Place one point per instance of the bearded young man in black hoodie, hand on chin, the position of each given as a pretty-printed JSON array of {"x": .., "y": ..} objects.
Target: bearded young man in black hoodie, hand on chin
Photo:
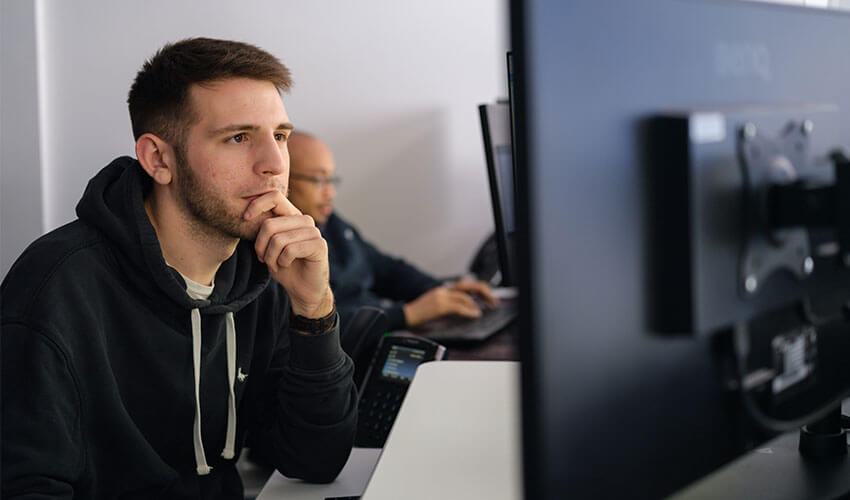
[{"x": 186, "y": 308}]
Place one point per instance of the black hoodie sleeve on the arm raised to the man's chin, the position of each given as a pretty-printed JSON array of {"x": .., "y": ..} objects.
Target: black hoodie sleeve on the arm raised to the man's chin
[{"x": 312, "y": 433}]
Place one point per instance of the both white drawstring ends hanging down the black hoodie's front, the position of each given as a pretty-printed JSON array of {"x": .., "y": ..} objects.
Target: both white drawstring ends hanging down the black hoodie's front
[{"x": 200, "y": 458}]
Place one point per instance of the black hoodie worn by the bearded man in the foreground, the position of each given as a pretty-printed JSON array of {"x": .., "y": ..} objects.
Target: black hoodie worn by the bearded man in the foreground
[{"x": 98, "y": 375}]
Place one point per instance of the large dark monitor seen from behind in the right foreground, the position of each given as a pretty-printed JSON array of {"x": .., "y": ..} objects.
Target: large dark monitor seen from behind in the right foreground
[{"x": 666, "y": 318}]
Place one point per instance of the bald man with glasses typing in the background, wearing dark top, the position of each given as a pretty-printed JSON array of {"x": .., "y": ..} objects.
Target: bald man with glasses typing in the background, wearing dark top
[{"x": 360, "y": 273}]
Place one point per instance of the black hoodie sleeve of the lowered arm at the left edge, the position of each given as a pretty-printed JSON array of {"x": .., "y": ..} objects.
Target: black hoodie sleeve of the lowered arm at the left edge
[{"x": 41, "y": 438}]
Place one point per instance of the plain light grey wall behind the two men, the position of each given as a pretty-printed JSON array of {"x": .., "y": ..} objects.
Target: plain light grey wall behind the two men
[{"x": 392, "y": 86}]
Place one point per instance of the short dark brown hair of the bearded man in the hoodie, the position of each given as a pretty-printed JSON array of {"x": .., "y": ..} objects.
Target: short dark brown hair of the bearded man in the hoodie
[{"x": 159, "y": 98}]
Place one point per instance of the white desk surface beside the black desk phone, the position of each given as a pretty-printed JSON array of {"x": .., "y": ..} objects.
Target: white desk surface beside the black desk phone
[{"x": 457, "y": 435}]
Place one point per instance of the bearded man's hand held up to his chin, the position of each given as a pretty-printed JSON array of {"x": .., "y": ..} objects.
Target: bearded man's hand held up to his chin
[{"x": 292, "y": 247}]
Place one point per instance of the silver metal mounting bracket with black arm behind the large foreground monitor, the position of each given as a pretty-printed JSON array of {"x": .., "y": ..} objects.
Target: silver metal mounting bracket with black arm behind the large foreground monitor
[{"x": 781, "y": 205}]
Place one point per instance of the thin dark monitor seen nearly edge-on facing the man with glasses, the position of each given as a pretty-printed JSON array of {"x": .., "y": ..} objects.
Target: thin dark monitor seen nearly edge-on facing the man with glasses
[{"x": 496, "y": 131}]
